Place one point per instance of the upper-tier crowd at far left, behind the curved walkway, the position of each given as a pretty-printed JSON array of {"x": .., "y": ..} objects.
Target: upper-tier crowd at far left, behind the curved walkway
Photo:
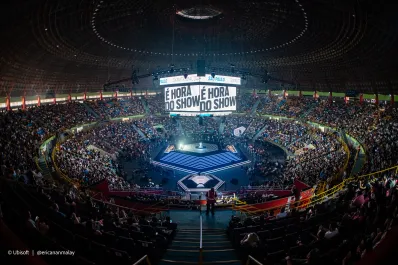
[{"x": 24, "y": 131}]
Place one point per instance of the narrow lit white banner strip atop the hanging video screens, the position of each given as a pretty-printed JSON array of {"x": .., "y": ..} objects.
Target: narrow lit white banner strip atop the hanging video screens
[{"x": 218, "y": 79}]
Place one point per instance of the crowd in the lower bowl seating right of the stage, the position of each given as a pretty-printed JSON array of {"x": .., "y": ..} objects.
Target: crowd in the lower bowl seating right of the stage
[{"x": 314, "y": 155}]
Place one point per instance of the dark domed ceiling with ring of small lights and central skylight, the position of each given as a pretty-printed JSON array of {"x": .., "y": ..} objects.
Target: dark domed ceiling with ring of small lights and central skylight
[{"x": 76, "y": 45}]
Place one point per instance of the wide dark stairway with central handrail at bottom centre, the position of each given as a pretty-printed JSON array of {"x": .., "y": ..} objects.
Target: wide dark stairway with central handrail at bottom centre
[{"x": 184, "y": 249}]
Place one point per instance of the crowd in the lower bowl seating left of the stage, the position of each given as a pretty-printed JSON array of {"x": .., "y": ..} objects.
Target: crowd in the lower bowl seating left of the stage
[{"x": 80, "y": 158}]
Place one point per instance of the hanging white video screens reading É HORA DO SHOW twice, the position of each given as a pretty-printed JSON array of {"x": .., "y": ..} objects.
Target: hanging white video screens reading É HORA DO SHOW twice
[{"x": 200, "y": 98}]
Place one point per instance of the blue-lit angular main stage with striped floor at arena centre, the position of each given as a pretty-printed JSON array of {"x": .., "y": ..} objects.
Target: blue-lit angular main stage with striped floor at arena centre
[{"x": 195, "y": 162}]
